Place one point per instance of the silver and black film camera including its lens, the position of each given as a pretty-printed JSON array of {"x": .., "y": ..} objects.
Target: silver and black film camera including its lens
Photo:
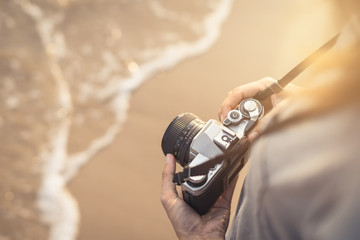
[{"x": 211, "y": 153}]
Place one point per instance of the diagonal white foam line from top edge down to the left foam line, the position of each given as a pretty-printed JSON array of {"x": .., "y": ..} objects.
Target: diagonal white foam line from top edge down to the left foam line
[{"x": 122, "y": 91}]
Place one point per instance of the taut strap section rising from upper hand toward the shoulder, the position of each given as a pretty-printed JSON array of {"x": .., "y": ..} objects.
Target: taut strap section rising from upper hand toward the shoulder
[{"x": 280, "y": 84}]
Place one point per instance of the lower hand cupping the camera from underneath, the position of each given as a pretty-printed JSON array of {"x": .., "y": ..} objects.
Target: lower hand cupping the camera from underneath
[{"x": 187, "y": 223}]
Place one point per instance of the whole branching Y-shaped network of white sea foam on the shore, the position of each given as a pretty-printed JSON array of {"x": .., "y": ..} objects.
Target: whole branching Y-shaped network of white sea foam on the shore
[{"x": 58, "y": 208}]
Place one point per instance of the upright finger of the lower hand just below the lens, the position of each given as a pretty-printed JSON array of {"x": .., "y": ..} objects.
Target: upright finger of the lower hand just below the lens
[{"x": 168, "y": 188}]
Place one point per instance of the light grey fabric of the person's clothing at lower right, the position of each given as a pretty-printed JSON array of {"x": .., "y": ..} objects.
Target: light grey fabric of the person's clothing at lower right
[{"x": 304, "y": 182}]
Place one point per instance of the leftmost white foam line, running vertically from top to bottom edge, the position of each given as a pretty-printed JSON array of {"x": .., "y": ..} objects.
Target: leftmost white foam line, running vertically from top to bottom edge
[{"x": 57, "y": 207}]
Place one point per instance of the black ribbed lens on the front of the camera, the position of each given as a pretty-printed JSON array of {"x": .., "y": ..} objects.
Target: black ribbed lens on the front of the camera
[{"x": 179, "y": 135}]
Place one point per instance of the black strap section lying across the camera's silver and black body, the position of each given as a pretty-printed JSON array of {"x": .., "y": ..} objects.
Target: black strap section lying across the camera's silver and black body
[{"x": 202, "y": 169}]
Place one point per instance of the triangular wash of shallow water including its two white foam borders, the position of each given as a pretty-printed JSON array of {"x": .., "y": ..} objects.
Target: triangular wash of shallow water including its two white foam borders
[{"x": 98, "y": 56}]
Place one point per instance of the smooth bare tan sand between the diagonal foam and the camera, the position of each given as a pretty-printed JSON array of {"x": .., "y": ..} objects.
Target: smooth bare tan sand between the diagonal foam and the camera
[{"x": 118, "y": 191}]
